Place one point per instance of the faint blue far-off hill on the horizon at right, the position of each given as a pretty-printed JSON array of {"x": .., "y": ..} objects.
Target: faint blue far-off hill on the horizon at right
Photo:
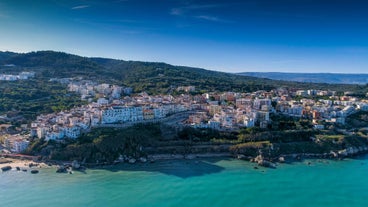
[{"x": 335, "y": 78}]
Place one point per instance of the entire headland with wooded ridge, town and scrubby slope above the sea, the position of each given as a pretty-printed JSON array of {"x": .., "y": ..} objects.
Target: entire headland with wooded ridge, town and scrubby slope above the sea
[{"x": 114, "y": 111}]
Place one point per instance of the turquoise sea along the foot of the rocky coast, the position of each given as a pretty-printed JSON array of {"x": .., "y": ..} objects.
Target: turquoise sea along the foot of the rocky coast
[{"x": 207, "y": 182}]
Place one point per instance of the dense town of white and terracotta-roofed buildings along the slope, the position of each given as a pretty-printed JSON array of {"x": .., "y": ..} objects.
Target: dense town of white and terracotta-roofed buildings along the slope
[{"x": 109, "y": 105}]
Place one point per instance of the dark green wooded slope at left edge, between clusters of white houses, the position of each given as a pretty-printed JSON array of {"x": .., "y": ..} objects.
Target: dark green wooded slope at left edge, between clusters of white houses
[{"x": 23, "y": 100}]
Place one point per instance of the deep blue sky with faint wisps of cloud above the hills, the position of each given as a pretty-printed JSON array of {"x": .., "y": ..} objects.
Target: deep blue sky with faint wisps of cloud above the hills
[{"x": 224, "y": 35}]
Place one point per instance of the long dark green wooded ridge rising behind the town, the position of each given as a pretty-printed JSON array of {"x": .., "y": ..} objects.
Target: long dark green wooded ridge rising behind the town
[{"x": 152, "y": 77}]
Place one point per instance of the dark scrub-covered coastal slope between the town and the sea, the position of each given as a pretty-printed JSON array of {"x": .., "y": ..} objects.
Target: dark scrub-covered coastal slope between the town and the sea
[{"x": 106, "y": 145}]
